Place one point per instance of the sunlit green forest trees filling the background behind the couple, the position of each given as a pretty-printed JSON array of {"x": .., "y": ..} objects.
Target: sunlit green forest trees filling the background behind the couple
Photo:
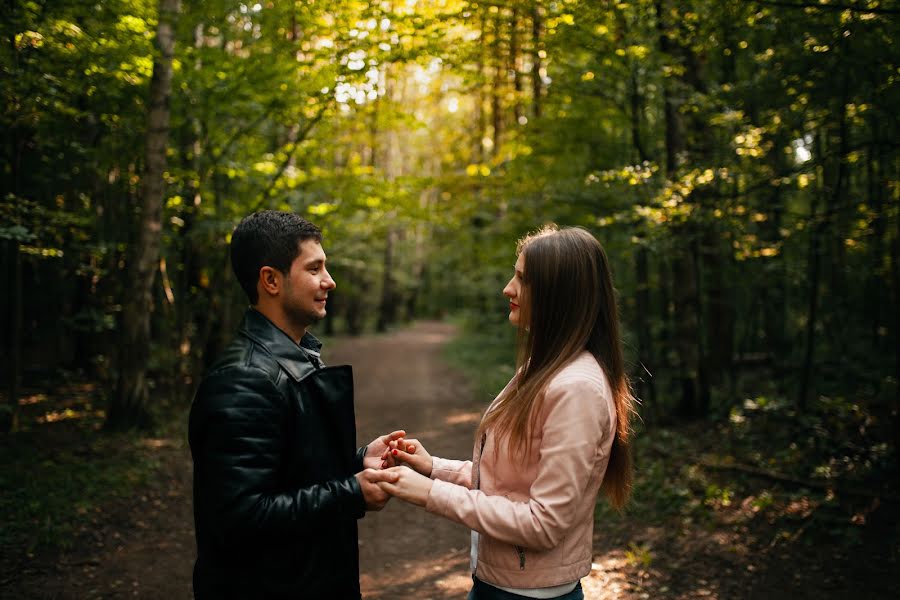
[{"x": 738, "y": 159}]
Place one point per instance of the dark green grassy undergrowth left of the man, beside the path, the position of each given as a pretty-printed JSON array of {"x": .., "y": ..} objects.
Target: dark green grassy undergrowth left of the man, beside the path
[{"x": 60, "y": 473}]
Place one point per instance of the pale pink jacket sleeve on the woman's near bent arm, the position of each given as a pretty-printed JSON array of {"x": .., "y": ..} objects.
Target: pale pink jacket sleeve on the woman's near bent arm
[{"x": 576, "y": 425}]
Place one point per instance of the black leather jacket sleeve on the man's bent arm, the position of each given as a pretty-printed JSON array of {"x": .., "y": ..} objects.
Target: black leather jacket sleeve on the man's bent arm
[{"x": 237, "y": 430}]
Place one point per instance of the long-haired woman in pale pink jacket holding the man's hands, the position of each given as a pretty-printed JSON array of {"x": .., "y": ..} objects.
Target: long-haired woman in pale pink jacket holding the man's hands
[{"x": 555, "y": 433}]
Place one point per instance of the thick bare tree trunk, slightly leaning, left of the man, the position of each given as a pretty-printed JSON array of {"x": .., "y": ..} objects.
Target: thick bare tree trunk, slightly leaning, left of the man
[{"x": 129, "y": 405}]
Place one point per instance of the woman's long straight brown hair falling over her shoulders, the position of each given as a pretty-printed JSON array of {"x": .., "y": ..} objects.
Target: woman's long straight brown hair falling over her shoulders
[{"x": 570, "y": 307}]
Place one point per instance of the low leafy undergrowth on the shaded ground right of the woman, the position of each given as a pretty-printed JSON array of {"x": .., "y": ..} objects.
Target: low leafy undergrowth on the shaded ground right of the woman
[{"x": 765, "y": 474}]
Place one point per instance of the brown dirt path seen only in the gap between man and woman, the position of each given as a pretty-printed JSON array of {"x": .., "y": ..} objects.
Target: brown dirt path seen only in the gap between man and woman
[{"x": 401, "y": 382}]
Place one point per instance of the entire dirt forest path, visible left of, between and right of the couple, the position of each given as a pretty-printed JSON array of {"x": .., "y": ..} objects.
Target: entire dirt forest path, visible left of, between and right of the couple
[{"x": 144, "y": 546}]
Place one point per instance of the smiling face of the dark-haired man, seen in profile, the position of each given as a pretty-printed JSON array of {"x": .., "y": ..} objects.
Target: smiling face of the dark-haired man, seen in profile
[{"x": 306, "y": 286}]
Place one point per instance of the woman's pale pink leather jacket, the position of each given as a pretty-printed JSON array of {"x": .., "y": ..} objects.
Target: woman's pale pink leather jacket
[{"x": 535, "y": 513}]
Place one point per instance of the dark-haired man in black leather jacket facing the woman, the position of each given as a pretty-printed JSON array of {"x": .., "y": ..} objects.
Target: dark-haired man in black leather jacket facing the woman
[{"x": 278, "y": 484}]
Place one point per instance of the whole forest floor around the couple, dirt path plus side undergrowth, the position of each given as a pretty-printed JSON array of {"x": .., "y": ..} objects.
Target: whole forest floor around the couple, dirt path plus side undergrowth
[{"x": 734, "y": 541}]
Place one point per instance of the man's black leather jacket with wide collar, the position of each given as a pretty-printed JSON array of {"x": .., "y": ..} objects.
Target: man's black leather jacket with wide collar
[{"x": 273, "y": 438}]
